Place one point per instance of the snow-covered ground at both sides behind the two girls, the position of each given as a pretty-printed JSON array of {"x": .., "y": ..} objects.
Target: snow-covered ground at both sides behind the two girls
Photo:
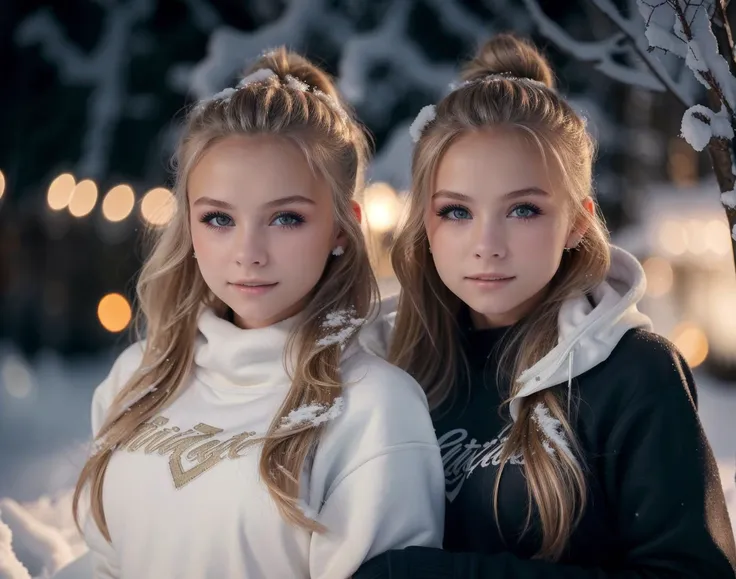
[{"x": 44, "y": 426}]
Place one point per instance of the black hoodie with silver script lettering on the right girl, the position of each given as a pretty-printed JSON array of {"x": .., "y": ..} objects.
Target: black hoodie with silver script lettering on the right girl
[{"x": 655, "y": 508}]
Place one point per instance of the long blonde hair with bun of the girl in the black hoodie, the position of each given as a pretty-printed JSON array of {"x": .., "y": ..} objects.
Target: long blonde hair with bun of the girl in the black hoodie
[{"x": 519, "y": 97}]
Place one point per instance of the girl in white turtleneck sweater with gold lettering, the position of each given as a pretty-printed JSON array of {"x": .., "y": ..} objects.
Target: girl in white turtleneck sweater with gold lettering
[{"x": 248, "y": 436}]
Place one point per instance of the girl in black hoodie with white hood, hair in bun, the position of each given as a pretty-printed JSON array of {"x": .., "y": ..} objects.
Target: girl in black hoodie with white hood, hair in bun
[{"x": 569, "y": 432}]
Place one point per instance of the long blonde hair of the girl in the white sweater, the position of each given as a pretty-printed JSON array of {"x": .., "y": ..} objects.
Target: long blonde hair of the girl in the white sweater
[{"x": 300, "y": 103}]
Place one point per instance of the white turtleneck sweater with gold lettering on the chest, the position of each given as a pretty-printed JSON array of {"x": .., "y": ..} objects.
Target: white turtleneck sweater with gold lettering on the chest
[{"x": 193, "y": 506}]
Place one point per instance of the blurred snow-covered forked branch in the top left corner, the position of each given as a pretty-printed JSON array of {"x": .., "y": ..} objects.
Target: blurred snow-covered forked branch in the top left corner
[{"x": 105, "y": 69}]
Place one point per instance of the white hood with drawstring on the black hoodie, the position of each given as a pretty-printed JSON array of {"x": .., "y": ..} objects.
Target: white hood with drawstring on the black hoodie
[{"x": 588, "y": 332}]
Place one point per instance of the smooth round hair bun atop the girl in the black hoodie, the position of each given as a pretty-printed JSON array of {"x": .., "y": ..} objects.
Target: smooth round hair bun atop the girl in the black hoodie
[{"x": 506, "y": 53}]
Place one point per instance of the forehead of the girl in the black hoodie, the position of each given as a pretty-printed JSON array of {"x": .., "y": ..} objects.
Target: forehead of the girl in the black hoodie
[{"x": 493, "y": 162}]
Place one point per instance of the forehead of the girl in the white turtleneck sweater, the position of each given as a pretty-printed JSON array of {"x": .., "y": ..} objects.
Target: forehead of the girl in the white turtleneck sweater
[{"x": 263, "y": 166}]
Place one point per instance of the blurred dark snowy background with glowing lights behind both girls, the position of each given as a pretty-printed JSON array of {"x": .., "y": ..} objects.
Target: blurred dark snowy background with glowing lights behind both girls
[{"x": 93, "y": 93}]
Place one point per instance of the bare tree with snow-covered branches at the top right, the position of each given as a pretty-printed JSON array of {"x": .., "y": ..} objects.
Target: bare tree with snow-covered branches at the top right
[{"x": 670, "y": 42}]
